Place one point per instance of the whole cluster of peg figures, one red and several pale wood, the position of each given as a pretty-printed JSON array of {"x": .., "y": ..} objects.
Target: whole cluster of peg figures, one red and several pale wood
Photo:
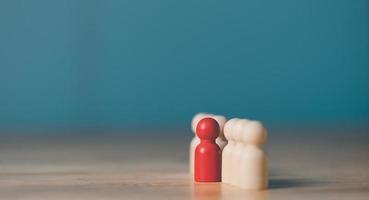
[{"x": 228, "y": 151}]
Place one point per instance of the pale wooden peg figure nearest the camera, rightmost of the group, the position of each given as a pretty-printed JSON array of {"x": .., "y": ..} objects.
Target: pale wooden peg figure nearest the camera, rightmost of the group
[{"x": 253, "y": 166}]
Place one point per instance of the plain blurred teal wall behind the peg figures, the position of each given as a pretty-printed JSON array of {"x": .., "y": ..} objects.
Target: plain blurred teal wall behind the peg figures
[{"x": 122, "y": 63}]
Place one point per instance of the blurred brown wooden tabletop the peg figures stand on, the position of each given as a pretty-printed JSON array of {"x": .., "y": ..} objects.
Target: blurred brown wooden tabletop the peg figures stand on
[{"x": 305, "y": 163}]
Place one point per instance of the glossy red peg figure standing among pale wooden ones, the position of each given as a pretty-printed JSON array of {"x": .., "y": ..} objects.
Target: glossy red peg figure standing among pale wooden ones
[{"x": 207, "y": 154}]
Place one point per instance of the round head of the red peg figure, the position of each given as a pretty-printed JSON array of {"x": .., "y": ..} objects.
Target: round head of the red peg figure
[{"x": 207, "y": 129}]
